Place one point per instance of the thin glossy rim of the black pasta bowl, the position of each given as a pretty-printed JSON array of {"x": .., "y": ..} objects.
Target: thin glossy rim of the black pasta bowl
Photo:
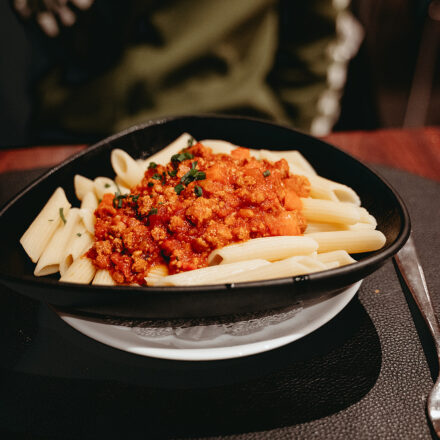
[{"x": 359, "y": 266}]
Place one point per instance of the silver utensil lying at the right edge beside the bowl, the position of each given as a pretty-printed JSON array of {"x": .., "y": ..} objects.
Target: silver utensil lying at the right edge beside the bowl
[{"x": 412, "y": 272}]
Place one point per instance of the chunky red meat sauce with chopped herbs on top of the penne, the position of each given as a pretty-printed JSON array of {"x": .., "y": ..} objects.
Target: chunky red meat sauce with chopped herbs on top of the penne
[{"x": 198, "y": 202}]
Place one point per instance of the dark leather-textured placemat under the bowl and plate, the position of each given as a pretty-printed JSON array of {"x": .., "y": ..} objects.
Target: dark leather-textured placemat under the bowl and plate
[{"x": 365, "y": 374}]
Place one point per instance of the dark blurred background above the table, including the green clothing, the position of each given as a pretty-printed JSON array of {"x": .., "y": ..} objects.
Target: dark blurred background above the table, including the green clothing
[{"x": 74, "y": 71}]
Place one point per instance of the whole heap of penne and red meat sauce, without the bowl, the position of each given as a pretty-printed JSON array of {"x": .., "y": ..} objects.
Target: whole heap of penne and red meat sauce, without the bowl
[{"x": 320, "y": 224}]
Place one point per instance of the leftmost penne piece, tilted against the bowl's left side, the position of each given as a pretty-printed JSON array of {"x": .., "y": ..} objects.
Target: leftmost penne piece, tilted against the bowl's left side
[{"x": 40, "y": 232}]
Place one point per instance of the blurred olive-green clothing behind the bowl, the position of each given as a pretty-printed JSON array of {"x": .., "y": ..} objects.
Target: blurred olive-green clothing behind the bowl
[{"x": 264, "y": 58}]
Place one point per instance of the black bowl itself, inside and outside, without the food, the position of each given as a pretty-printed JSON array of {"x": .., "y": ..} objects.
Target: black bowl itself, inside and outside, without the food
[{"x": 16, "y": 270}]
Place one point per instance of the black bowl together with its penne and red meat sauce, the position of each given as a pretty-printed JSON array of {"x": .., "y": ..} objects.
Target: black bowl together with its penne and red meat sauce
[{"x": 211, "y": 227}]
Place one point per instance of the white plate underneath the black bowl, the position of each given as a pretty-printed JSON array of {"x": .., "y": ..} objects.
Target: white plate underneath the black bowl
[{"x": 208, "y": 340}]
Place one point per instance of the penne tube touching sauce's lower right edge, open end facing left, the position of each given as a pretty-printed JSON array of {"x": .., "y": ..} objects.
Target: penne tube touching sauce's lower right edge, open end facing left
[{"x": 267, "y": 248}]
